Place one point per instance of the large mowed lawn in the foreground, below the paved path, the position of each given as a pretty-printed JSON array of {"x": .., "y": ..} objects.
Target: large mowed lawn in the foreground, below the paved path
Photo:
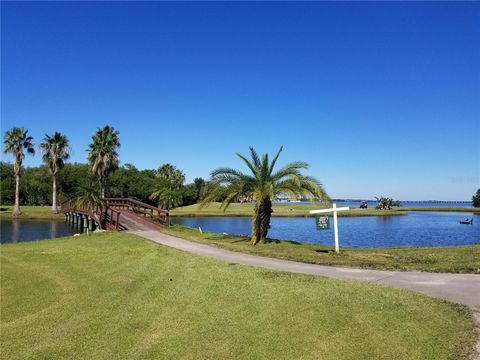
[{"x": 117, "y": 296}]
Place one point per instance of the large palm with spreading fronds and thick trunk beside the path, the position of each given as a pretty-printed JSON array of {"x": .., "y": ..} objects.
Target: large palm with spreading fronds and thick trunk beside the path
[{"x": 263, "y": 184}]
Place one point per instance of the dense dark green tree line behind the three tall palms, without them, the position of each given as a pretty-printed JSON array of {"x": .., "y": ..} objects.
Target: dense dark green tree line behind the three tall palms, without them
[{"x": 126, "y": 181}]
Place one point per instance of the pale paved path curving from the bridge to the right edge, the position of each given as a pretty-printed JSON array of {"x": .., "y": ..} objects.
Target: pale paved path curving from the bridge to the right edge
[{"x": 459, "y": 288}]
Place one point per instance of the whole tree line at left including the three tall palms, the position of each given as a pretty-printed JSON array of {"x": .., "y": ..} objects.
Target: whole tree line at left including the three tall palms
[{"x": 57, "y": 181}]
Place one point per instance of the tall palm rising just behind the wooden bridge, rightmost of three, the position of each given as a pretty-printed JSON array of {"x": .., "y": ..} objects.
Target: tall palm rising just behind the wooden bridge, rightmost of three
[{"x": 102, "y": 154}]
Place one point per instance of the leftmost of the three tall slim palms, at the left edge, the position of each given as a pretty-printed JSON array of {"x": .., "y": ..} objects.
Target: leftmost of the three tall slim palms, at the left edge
[{"x": 16, "y": 140}]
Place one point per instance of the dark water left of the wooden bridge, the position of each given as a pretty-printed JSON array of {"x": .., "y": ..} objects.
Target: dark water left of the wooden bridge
[{"x": 13, "y": 231}]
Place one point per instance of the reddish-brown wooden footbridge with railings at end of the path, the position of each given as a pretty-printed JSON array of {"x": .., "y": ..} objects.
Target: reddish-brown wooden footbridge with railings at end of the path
[{"x": 118, "y": 214}]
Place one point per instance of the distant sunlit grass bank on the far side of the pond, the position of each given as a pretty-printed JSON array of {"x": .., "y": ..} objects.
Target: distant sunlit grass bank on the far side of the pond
[{"x": 288, "y": 210}]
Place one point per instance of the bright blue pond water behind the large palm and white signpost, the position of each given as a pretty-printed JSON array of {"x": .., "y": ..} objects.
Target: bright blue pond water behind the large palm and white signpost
[{"x": 414, "y": 229}]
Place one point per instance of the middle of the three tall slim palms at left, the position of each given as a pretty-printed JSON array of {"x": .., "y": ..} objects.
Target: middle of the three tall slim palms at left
[{"x": 55, "y": 150}]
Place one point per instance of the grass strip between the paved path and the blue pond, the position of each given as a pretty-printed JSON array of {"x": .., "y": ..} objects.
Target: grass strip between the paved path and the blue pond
[{"x": 456, "y": 259}]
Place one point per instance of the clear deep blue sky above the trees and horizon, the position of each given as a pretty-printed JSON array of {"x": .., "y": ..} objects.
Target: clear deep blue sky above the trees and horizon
[{"x": 380, "y": 98}]
